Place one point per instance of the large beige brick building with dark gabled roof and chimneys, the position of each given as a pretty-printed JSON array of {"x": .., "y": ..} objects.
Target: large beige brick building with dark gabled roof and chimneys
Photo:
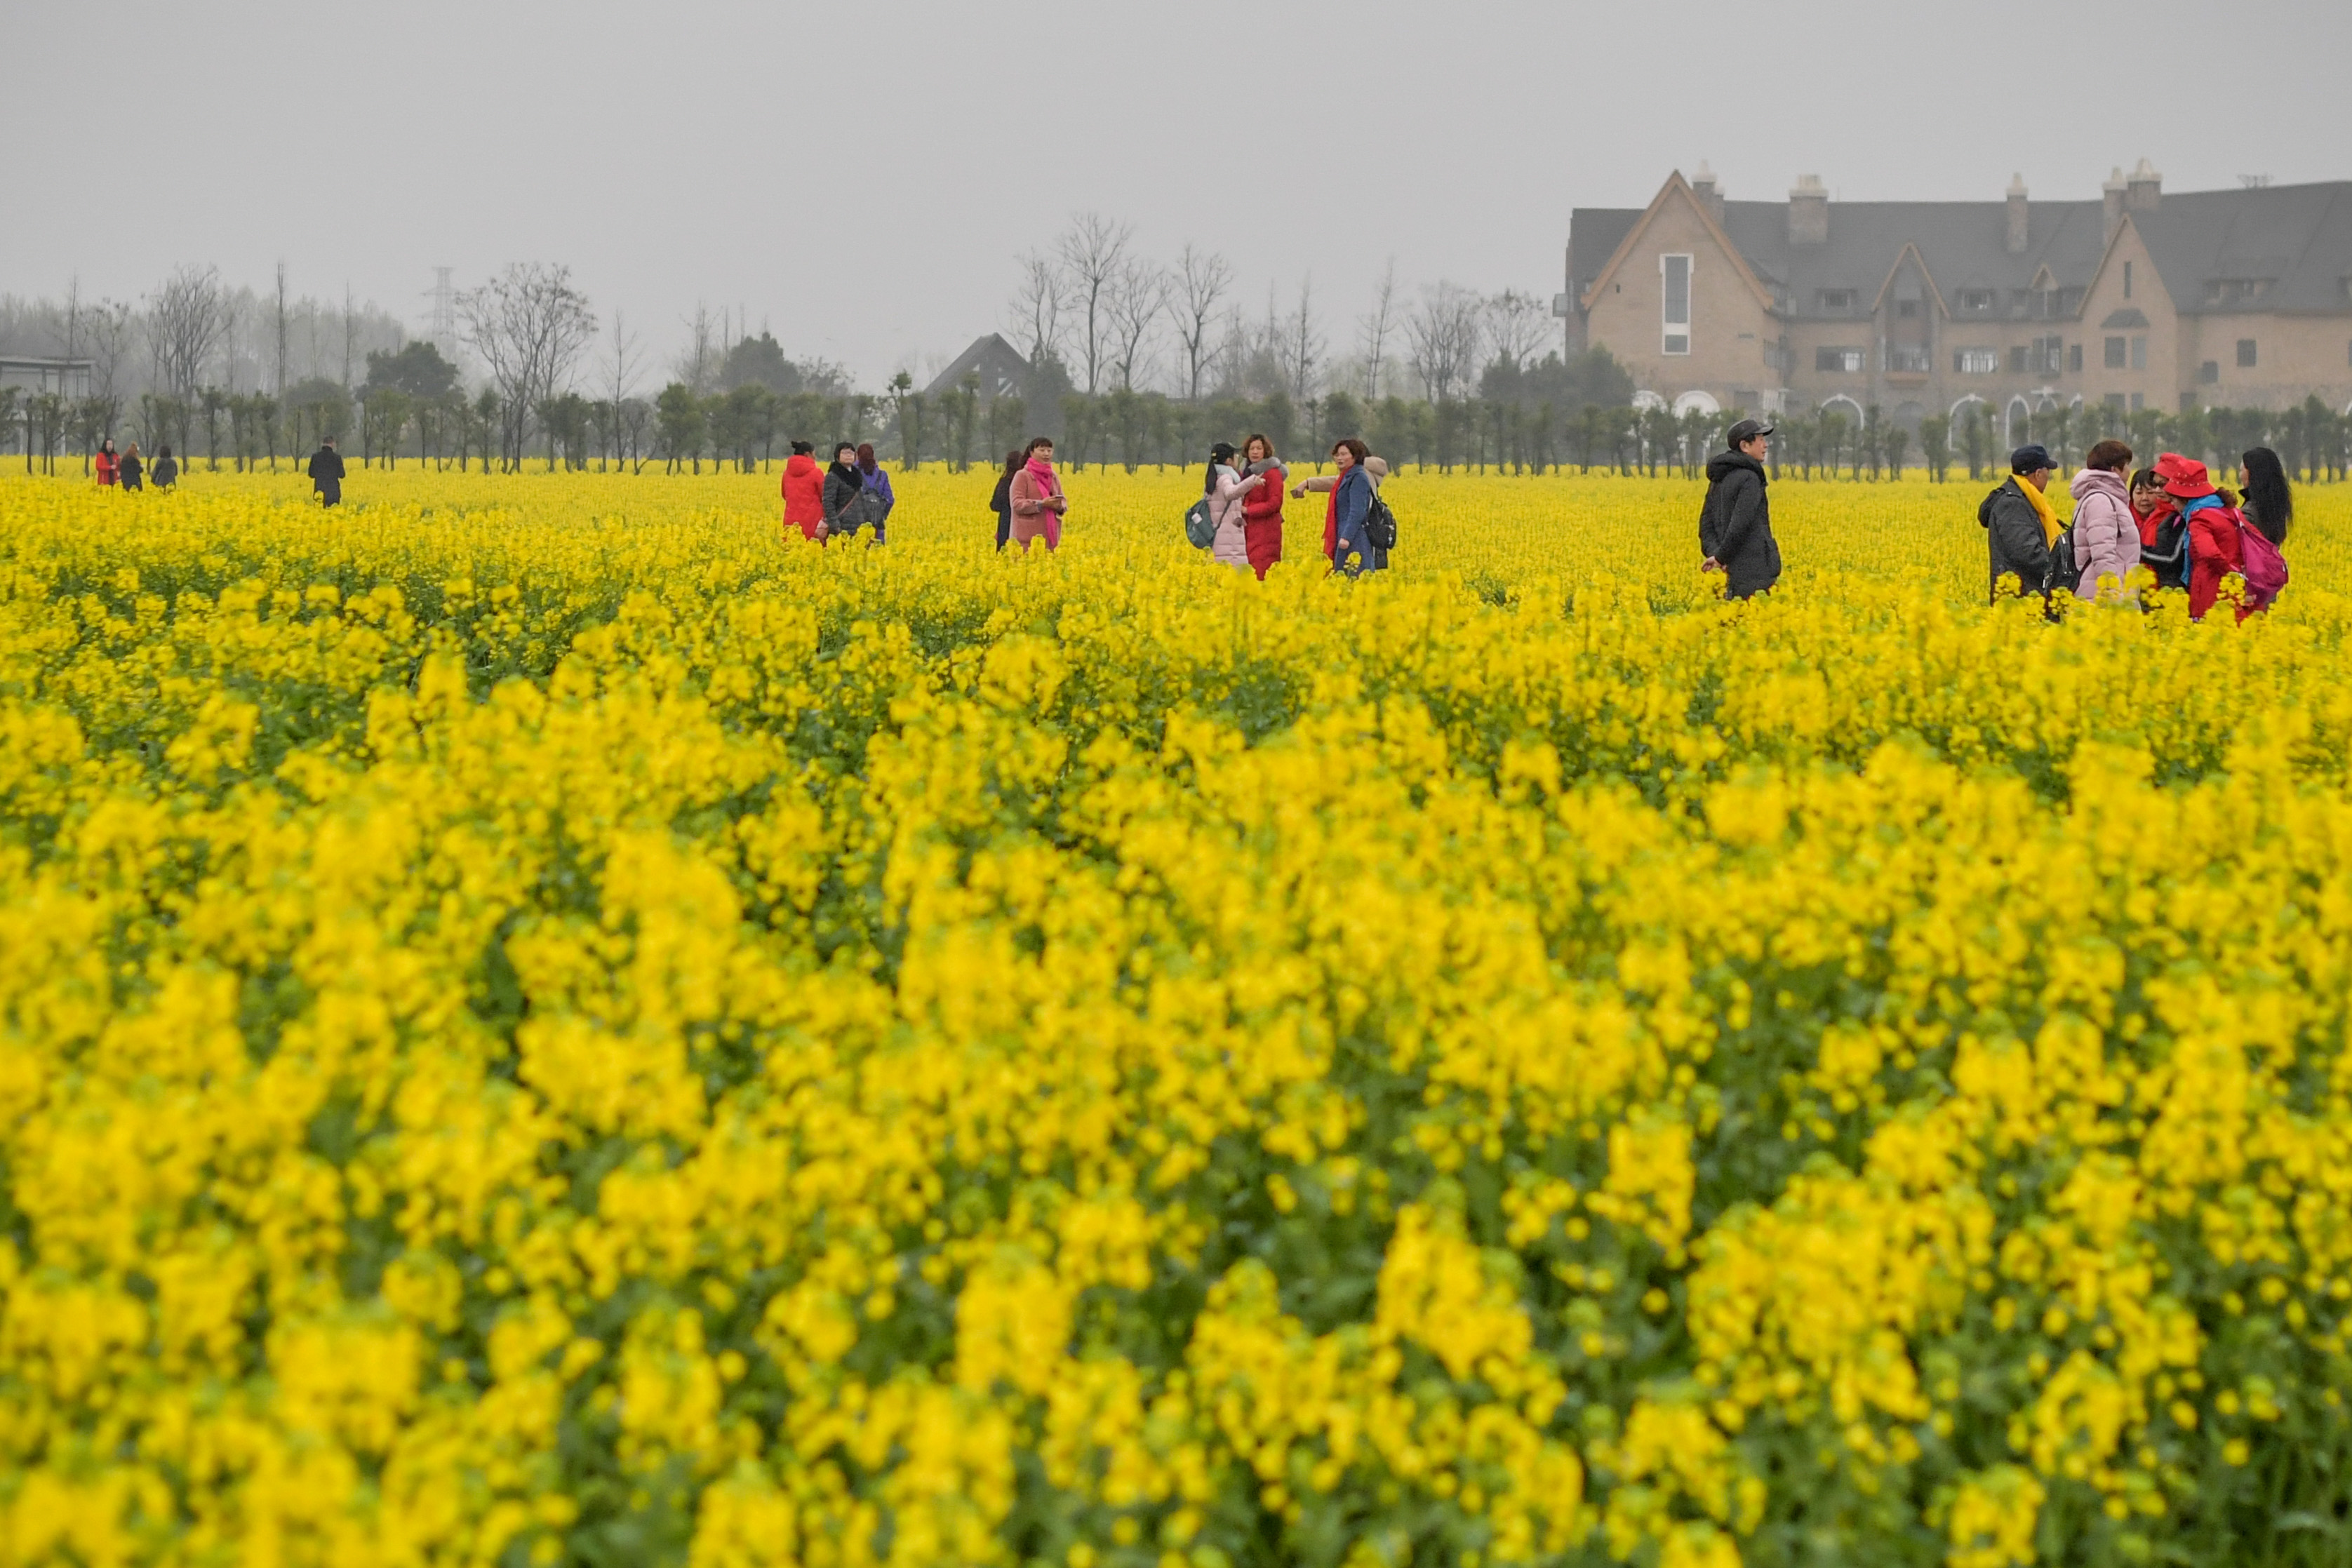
[{"x": 2137, "y": 300}]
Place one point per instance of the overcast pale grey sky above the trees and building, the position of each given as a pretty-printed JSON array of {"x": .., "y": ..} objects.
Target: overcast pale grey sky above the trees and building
[{"x": 864, "y": 175}]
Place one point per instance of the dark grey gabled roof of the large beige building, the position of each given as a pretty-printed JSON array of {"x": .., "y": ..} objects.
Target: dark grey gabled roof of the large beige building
[{"x": 2299, "y": 239}]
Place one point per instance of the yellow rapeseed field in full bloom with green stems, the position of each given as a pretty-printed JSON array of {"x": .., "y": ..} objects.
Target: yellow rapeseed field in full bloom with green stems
[{"x": 552, "y": 1026}]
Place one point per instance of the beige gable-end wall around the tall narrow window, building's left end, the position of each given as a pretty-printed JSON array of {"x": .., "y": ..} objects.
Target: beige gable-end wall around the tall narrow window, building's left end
[{"x": 1730, "y": 330}]
